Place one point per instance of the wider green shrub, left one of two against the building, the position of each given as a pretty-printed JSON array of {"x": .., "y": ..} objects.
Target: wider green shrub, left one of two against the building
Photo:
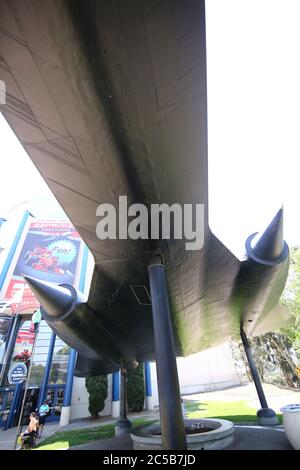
[{"x": 97, "y": 389}]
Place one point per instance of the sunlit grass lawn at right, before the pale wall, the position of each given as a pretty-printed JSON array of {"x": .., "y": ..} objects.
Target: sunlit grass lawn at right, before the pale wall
[{"x": 236, "y": 411}]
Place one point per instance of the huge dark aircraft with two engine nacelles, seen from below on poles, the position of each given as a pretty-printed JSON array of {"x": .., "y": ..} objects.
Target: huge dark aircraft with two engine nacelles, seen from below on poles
[{"x": 109, "y": 98}]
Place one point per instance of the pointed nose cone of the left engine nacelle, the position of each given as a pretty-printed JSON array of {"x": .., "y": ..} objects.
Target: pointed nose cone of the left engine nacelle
[{"x": 55, "y": 300}]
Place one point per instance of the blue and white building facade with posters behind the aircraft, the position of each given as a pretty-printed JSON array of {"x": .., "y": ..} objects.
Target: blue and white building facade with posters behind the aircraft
[{"x": 53, "y": 251}]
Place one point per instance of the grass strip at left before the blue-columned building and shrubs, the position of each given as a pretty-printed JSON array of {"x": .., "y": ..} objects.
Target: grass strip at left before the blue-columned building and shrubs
[{"x": 66, "y": 439}]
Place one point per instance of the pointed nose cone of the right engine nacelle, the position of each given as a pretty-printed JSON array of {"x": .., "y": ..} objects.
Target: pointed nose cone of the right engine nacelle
[{"x": 269, "y": 245}]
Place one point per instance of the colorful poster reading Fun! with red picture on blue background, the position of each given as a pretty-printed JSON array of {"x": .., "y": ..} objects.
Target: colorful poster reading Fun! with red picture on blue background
[{"x": 50, "y": 252}]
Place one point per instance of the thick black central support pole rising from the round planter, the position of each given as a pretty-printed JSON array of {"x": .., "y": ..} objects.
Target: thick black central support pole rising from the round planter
[{"x": 171, "y": 419}]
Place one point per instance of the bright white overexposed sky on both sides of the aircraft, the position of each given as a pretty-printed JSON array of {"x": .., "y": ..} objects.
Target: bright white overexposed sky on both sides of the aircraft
[{"x": 253, "y": 71}]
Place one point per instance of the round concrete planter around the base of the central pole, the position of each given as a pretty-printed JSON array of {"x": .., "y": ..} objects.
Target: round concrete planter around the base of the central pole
[{"x": 220, "y": 435}]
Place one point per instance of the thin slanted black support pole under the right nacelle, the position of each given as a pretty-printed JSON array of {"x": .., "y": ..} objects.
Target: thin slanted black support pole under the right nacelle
[{"x": 266, "y": 415}]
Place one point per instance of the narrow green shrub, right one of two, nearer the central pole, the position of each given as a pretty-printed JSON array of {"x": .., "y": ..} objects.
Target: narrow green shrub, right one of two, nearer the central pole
[{"x": 135, "y": 388}]
